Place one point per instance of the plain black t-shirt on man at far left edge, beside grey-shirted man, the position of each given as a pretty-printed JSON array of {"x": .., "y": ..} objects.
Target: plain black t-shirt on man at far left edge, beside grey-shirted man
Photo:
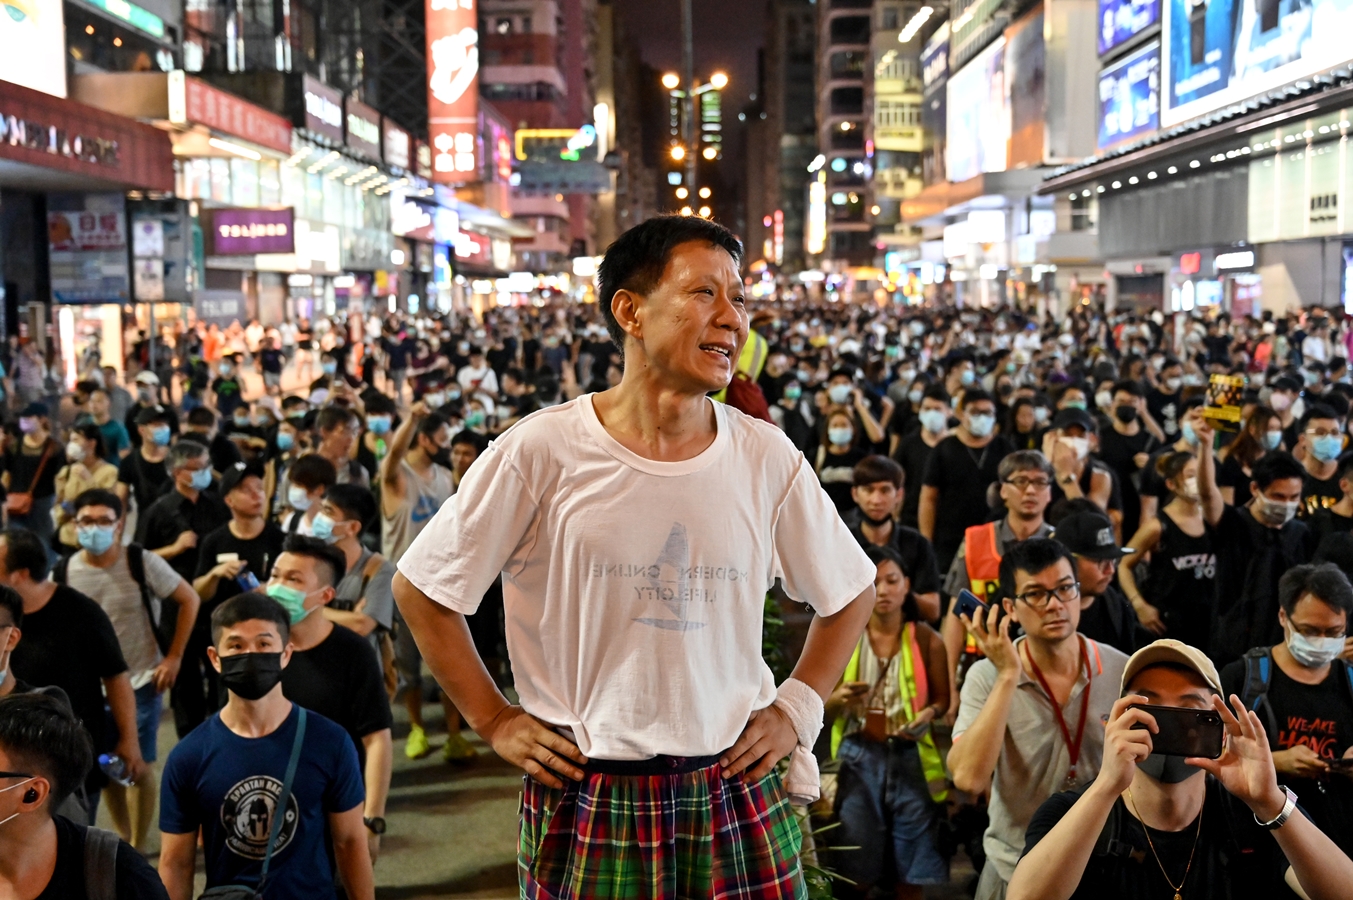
[{"x": 71, "y": 645}]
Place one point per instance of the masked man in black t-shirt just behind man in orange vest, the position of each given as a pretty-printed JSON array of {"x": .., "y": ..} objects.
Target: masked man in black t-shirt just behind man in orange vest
[{"x": 957, "y": 477}]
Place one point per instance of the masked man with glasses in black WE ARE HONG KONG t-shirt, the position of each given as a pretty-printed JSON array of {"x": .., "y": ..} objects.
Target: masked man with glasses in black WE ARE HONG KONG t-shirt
[{"x": 1306, "y": 704}]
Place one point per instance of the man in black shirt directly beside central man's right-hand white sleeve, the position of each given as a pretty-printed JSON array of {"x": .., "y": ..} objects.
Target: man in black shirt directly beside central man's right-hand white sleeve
[{"x": 877, "y": 493}]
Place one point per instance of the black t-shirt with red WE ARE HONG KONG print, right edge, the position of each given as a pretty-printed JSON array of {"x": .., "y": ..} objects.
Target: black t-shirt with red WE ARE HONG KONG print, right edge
[{"x": 1320, "y": 717}]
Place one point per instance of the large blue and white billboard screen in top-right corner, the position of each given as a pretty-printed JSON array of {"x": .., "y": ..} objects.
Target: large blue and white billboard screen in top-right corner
[{"x": 1222, "y": 52}]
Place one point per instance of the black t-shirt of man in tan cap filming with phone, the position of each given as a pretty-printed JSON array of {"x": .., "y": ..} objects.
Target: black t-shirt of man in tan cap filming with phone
[{"x": 1235, "y": 859}]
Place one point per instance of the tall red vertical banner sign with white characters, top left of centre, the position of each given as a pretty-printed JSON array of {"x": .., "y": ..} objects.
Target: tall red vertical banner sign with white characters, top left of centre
[{"x": 454, "y": 90}]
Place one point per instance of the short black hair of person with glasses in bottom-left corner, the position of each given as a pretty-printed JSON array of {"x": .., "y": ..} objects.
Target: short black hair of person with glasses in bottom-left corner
[{"x": 43, "y": 737}]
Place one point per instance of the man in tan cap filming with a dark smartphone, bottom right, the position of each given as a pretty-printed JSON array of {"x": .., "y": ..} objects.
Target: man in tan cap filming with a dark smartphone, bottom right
[{"x": 1190, "y": 829}]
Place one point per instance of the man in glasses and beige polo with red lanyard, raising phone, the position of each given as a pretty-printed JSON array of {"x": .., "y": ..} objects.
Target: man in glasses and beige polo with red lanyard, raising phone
[{"x": 1029, "y": 722}]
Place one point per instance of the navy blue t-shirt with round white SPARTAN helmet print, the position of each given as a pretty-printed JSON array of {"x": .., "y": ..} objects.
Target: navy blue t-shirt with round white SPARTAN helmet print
[{"x": 229, "y": 786}]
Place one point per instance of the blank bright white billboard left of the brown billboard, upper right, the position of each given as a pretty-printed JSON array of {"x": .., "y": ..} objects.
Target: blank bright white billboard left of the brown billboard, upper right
[{"x": 979, "y": 129}]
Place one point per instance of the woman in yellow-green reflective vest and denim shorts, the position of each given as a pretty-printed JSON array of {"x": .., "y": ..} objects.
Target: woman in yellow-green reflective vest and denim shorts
[{"x": 892, "y": 779}]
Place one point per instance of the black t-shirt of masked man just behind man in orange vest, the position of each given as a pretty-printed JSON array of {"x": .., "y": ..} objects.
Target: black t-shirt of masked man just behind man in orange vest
[{"x": 963, "y": 476}]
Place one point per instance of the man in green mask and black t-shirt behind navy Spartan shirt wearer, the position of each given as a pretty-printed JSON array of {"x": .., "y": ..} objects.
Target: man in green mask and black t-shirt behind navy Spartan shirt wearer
[{"x": 334, "y": 671}]
